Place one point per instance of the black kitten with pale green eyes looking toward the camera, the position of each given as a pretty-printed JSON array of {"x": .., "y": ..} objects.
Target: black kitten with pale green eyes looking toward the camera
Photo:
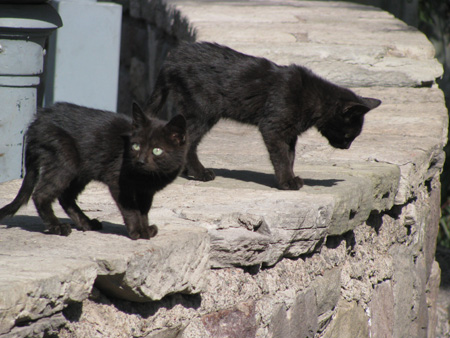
[{"x": 67, "y": 146}]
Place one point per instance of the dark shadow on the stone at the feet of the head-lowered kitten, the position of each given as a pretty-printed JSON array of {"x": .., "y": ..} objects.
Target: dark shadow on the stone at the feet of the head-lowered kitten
[{"x": 268, "y": 179}]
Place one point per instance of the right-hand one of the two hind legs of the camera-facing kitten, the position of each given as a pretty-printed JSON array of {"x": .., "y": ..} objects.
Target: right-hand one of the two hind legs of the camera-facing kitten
[{"x": 68, "y": 203}]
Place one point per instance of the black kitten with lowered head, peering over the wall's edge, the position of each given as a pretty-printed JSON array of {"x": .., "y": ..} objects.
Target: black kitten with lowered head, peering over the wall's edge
[{"x": 207, "y": 82}]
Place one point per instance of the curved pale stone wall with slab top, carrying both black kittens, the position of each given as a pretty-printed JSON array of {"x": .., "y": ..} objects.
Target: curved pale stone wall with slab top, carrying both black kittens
[{"x": 349, "y": 255}]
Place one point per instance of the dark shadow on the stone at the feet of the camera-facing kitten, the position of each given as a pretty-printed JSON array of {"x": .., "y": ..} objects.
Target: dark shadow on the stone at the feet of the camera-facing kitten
[{"x": 35, "y": 224}]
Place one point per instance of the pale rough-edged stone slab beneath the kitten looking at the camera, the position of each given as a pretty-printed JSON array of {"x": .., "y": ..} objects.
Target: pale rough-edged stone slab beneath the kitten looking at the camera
[{"x": 40, "y": 274}]
